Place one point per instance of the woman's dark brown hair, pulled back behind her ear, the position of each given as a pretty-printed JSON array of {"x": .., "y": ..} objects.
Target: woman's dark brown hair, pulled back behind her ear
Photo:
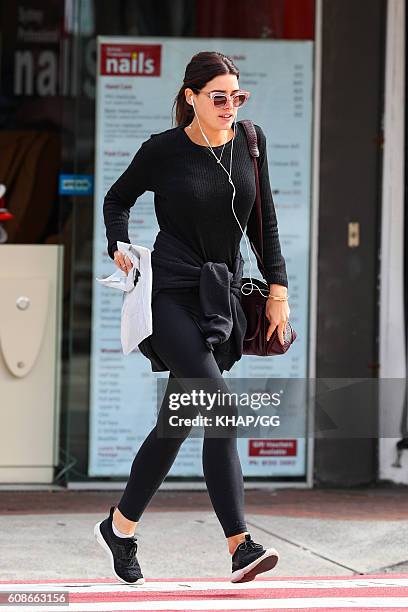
[{"x": 202, "y": 67}]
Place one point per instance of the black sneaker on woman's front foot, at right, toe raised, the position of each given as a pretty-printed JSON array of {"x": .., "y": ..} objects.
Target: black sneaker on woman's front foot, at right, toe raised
[{"x": 250, "y": 559}]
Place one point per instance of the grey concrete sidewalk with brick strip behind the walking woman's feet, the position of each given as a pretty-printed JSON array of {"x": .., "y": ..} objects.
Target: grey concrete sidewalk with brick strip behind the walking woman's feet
[{"x": 48, "y": 535}]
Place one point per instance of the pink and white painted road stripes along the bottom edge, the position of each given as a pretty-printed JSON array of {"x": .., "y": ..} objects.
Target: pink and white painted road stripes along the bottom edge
[{"x": 374, "y": 592}]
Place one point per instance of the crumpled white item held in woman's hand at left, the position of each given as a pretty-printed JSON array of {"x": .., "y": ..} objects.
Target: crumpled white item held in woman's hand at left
[{"x": 136, "y": 318}]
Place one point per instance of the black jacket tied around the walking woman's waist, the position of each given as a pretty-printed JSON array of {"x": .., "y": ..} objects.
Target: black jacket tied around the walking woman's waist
[{"x": 222, "y": 319}]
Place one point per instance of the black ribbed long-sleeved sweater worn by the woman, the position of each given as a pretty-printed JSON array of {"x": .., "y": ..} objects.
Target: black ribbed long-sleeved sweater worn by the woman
[{"x": 192, "y": 197}]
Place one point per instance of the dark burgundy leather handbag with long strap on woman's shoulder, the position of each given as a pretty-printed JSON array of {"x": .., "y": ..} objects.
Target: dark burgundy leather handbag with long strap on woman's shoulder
[{"x": 254, "y": 305}]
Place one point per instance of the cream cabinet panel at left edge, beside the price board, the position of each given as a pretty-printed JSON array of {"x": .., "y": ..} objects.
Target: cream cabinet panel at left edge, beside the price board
[{"x": 30, "y": 346}]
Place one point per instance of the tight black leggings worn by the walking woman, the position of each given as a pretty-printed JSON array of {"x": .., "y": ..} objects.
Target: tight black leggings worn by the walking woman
[{"x": 179, "y": 342}]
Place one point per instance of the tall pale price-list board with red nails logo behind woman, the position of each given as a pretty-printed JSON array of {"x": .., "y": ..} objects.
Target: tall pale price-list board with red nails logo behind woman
[{"x": 137, "y": 81}]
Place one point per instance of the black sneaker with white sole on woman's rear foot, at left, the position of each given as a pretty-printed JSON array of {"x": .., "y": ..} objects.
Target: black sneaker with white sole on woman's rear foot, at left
[{"x": 122, "y": 552}]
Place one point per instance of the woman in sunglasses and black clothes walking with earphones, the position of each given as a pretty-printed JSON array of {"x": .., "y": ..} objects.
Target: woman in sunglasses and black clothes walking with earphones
[{"x": 200, "y": 194}]
